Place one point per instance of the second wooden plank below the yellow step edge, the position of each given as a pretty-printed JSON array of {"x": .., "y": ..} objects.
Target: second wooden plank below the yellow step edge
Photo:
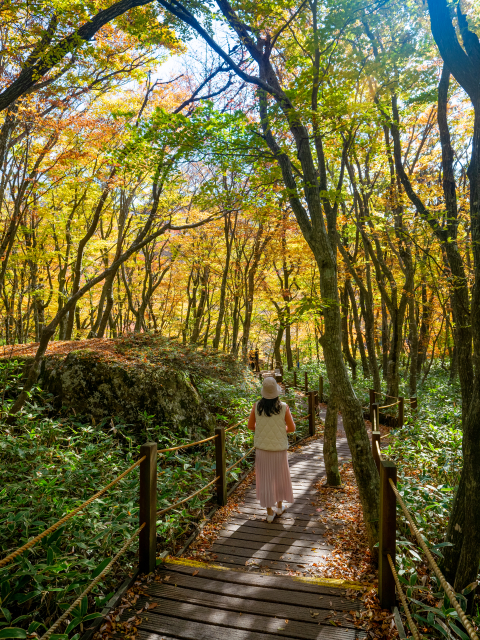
[{"x": 261, "y": 593}]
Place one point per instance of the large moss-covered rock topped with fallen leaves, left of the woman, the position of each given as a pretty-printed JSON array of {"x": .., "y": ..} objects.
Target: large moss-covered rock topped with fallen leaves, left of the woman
[{"x": 132, "y": 378}]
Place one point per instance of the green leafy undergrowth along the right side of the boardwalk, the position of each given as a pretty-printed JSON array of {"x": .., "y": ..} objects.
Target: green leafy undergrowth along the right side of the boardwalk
[{"x": 428, "y": 455}]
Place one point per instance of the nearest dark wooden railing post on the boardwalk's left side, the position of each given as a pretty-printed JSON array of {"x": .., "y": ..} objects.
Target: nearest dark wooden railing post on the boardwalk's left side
[{"x": 147, "y": 539}]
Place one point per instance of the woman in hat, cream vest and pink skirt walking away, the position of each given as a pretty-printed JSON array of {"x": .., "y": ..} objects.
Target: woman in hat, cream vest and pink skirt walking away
[{"x": 271, "y": 420}]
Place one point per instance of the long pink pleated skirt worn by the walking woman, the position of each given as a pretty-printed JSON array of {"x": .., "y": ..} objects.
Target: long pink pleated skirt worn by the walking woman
[{"x": 272, "y": 477}]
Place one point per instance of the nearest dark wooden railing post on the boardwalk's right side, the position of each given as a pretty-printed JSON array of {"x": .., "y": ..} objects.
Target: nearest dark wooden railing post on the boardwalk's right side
[{"x": 387, "y": 543}]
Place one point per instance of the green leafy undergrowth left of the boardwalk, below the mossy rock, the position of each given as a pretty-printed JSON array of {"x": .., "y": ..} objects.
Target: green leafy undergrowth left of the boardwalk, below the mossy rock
[{"x": 50, "y": 463}]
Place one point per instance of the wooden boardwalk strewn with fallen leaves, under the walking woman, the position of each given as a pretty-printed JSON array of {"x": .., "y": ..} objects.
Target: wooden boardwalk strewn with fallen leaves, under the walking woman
[{"x": 249, "y": 593}]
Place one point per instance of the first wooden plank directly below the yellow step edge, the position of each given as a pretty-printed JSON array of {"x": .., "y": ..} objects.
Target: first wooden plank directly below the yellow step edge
[{"x": 237, "y": 577}]
